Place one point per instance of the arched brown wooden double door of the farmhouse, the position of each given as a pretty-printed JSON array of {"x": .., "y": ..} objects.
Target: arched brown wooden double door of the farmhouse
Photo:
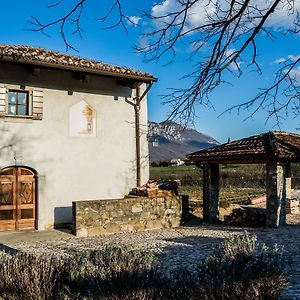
[{"x": 17, "y": 198}]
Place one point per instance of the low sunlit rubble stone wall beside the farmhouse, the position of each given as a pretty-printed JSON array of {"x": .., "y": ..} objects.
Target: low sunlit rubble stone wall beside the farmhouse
[{"x": 97, "y": 217}]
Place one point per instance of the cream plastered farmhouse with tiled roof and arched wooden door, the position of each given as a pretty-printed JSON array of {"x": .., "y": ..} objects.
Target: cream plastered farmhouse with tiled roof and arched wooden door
[{"x": 71, "y": 129}]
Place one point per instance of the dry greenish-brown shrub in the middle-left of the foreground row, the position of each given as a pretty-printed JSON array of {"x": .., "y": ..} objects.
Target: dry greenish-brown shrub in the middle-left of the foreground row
[{"x": 114, "y": 270}]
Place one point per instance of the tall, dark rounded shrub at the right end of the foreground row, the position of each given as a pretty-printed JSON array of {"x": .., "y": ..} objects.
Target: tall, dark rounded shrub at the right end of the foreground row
[{"x": 240, "y": 266}]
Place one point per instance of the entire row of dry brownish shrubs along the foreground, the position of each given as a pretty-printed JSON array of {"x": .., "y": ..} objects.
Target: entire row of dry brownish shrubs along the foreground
[{"x": 239, "y": 267}]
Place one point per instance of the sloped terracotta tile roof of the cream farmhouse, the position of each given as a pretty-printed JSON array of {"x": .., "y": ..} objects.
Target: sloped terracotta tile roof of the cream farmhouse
[{"x": 49, "y": 58}]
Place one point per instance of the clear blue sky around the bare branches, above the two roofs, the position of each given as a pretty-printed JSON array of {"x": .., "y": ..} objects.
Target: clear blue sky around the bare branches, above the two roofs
[{"x": 114, "y": 46}]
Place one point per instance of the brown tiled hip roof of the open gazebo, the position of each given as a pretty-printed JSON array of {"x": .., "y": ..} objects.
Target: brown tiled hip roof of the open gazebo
[{"x": 270, "y": 146}]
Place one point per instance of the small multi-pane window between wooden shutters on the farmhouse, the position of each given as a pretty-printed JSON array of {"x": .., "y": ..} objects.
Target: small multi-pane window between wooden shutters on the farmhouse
[{"x": 18, "y": 104}]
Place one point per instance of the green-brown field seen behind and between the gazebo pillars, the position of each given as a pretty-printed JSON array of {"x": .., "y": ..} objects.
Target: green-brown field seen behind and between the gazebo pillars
[{"x": 239, "y": 183}]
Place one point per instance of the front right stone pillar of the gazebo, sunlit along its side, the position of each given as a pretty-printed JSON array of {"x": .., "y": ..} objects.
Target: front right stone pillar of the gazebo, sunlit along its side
[{"x": 278, "y": 186}]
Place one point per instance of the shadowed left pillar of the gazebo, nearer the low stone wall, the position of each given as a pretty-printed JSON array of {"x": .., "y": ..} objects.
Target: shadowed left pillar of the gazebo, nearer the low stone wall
[{"x": 211, "y": 193}]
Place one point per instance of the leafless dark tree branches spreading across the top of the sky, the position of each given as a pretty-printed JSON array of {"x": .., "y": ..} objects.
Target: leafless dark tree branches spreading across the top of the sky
[{"x": 224, "y": 38}]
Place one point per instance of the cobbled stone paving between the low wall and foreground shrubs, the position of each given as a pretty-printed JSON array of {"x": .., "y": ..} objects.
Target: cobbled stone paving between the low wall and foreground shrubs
[{"x": 179, "y": 246}]
